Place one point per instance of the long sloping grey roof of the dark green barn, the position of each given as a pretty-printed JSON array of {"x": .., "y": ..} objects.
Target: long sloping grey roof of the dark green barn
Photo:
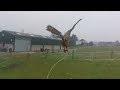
[{"x": 29, "y": 35}]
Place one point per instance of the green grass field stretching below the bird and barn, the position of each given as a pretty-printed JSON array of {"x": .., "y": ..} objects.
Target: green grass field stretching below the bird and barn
[{"x": 85, "y": 63}]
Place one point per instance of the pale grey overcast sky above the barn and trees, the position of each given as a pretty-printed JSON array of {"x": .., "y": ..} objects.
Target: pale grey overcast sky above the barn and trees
[{"x": 95, "y": 26}]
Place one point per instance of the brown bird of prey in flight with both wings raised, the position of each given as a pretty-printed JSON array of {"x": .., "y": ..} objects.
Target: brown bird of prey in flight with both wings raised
[{"x": 65, "y": 38}]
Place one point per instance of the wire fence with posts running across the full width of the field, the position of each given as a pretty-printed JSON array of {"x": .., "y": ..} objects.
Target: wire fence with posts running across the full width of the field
[{"x": 73, "y": 54}]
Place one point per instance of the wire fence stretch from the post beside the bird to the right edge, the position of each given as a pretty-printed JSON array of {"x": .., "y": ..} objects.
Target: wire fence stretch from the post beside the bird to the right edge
[{"x": 97, "y": 55}]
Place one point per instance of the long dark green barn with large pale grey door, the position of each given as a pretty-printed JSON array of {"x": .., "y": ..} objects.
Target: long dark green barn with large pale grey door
[{"x": 27, "y": 42}]
